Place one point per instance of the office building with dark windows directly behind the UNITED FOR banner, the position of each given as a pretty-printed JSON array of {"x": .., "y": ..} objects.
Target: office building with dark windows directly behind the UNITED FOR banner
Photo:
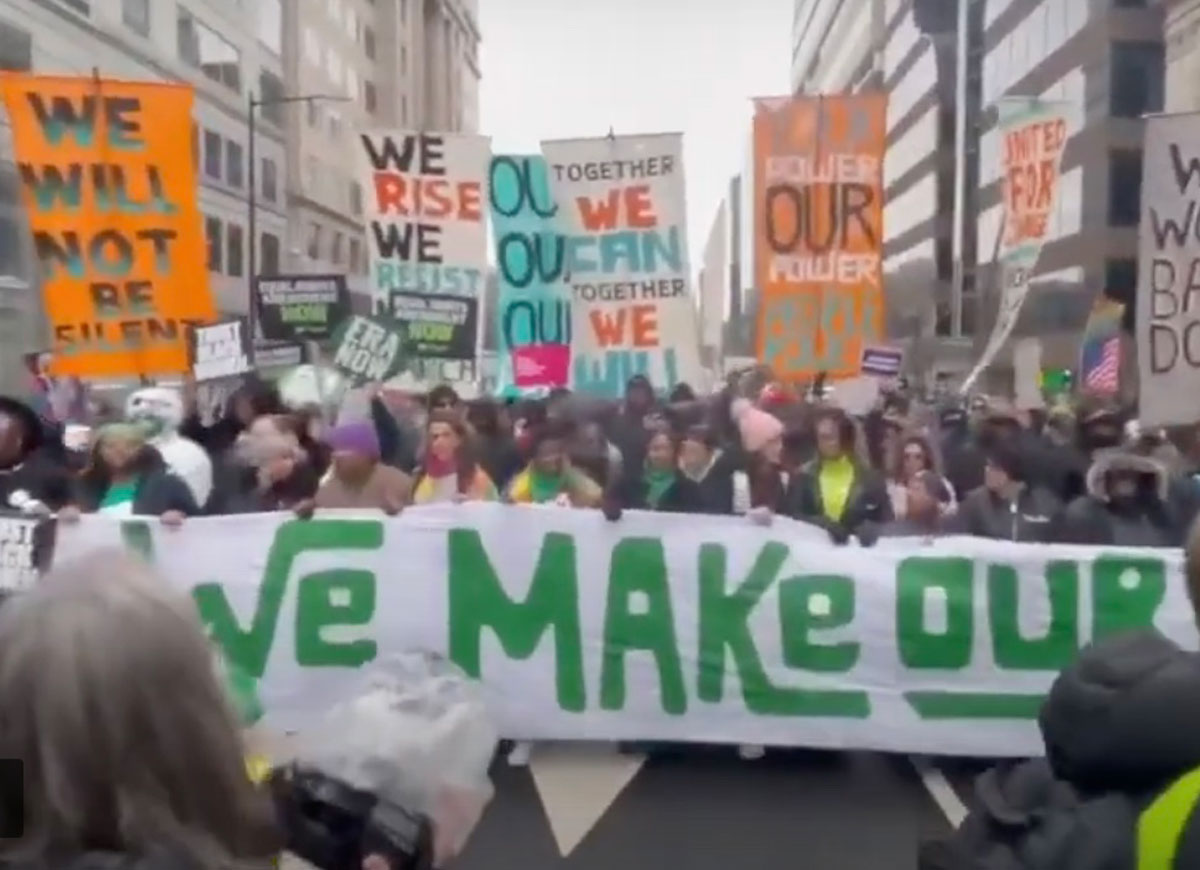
[{"x": 1106, "y": 63}]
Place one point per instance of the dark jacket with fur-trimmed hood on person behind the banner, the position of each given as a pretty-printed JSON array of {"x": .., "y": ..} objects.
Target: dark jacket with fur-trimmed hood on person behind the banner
[{"x": 1149, "y": 521}]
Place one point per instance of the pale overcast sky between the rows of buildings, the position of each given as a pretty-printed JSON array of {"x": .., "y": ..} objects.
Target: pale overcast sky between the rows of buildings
[{"x": 566, "y": 69}]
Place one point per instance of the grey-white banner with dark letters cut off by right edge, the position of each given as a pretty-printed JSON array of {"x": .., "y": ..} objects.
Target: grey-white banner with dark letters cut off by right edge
[{"x": 1169, "y": 273}]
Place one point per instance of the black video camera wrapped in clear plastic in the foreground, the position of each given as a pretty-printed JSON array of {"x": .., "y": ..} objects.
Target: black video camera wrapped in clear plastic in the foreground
[{"x": 399, "y": 771}]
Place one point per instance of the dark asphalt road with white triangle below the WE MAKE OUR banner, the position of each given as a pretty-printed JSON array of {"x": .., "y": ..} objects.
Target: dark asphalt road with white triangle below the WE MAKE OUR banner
[{"x": 710, "y": 809}]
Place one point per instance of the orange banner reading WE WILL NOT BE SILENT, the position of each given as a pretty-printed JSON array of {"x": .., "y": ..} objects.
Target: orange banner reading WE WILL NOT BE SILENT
[{"x": 109, "y": 183}]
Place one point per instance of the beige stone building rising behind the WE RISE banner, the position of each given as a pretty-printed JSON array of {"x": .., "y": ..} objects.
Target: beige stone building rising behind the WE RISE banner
[{"x": 383, "y": 64}]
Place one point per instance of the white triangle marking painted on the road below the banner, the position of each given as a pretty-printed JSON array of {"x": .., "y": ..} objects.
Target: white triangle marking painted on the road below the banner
[{"x": 578, "y": 784}]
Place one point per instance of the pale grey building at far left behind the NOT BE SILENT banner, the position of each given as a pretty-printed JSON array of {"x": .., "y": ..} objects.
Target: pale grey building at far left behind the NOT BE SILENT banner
[{"x": 226, "y": 50}]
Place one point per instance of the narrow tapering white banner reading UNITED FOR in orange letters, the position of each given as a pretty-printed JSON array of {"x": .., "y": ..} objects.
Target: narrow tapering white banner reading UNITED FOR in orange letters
[{"x": 1034, "y": 135}]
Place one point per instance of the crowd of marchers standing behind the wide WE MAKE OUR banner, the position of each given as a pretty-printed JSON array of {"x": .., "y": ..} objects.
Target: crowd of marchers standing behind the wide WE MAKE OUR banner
[{"x": 1076, "y": 475}]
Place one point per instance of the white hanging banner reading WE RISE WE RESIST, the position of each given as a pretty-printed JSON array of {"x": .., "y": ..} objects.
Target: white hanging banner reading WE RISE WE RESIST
[{"x": 425, "y": 205}]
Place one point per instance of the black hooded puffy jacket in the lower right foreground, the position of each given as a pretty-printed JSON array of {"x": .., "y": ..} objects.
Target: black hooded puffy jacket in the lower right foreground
[{"x": 1121, "y": 725}]
